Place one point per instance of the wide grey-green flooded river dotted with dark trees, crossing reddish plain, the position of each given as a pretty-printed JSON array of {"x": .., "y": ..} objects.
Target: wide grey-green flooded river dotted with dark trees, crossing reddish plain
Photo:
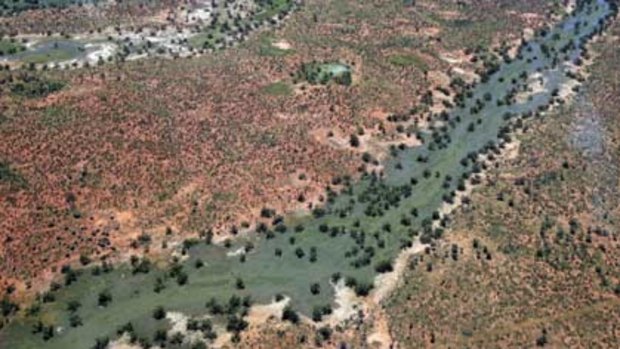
[{"x": 361, "y": 229}]
